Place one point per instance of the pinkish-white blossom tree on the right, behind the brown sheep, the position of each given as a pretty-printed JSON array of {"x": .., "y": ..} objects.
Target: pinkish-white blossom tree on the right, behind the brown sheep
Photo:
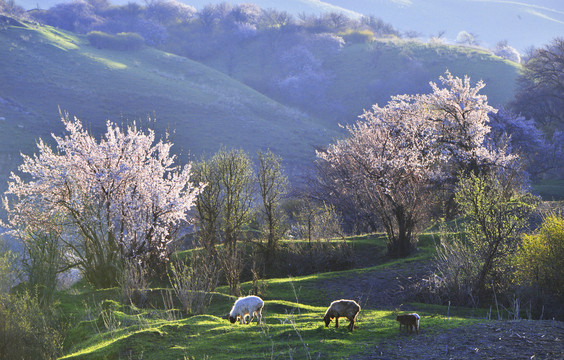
[{"x": 395, "y": 155}]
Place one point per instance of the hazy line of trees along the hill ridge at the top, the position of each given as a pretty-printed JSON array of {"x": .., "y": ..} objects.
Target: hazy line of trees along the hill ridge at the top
[{"x": 157, "y": 21}]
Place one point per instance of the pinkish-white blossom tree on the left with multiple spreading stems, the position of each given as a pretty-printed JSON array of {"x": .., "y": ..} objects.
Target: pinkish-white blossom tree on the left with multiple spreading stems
[{"x": 122, "y": 197}]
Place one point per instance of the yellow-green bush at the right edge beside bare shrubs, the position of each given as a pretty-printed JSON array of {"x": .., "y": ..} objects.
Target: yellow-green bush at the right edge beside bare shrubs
[{"x": 540, "y": 258}]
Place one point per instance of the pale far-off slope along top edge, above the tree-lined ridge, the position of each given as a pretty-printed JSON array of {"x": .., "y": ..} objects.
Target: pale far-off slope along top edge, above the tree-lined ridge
[{"x": 522, "y": 23}]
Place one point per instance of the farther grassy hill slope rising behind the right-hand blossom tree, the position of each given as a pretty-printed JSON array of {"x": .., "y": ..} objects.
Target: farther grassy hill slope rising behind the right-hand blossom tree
[{"x": 360, "y": 75}]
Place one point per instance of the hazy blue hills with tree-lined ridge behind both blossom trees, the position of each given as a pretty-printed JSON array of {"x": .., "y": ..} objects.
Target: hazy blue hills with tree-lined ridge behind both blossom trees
[{"x": 240, "y": 82}]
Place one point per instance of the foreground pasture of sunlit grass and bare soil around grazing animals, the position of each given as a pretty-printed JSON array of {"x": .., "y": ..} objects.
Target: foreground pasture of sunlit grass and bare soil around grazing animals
[{"x": 292, "y": 328}]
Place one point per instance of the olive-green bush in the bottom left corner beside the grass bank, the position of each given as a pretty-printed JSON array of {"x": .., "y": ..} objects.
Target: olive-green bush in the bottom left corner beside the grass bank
[{"x": 26, "y": 330}]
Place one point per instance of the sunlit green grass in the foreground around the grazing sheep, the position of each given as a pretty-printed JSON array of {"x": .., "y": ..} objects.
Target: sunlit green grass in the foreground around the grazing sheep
[{"x": 292, "y": 325}]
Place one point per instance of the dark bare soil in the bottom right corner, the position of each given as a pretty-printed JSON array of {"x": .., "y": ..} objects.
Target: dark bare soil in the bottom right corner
[{"x": 519, "y": 339}]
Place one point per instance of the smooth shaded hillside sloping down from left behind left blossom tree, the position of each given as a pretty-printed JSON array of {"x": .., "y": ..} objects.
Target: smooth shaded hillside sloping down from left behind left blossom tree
[{"x": 44, "y": 69}]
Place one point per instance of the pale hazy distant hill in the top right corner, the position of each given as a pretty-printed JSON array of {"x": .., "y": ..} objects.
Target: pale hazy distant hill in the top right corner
[{"x": 522, "y": 23}]
